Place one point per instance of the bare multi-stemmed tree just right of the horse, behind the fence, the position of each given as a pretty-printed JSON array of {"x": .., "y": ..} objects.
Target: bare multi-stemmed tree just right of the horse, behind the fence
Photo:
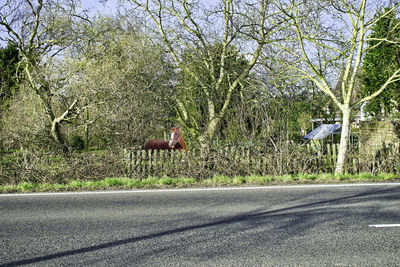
[{"x": 245, "y": 25}]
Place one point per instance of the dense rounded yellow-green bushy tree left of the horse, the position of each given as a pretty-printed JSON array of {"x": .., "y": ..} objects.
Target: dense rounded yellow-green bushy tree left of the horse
[{"x": 124, "y": 83}]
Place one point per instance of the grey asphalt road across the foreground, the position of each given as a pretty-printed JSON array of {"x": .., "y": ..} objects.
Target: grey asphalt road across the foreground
[{"x": 340, "y": 225}]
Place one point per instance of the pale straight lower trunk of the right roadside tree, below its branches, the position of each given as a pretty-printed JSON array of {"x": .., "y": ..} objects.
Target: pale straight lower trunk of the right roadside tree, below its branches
[{"x": 344, "y": 141}]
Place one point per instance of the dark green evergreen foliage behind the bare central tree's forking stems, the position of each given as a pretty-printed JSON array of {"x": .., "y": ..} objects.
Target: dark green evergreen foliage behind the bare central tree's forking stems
[{"x": 195, "y": 95}]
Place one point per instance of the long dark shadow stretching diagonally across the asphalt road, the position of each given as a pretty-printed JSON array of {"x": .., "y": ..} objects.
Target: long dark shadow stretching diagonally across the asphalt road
[{"x": 254, "y": 217}]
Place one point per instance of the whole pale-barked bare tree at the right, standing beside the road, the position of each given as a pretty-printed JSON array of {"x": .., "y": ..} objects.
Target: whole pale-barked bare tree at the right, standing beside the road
[{"x": 318, "y": 41}]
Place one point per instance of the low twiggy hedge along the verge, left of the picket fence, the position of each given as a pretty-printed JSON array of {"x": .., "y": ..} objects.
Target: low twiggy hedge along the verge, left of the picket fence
[{"x": 47, "y": 167}]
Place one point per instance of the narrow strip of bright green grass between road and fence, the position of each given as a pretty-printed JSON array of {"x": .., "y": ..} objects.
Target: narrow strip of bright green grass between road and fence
[{"x": 218, "y": 180}]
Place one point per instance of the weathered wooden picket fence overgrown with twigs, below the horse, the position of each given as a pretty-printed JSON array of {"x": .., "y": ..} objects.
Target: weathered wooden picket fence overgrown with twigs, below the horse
[{"x": 232, "y": 161}]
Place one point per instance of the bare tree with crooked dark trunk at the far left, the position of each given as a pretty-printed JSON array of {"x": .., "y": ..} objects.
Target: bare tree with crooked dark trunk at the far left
[{"x": 41, "y": 31}]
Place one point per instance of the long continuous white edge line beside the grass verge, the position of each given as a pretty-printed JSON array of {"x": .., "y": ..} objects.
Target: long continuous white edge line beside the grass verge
[{"x": 198, "y": 189}]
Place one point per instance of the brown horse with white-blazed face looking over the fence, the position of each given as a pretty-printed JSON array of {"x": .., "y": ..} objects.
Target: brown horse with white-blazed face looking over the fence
[{"x": 175, "y": 142}]
